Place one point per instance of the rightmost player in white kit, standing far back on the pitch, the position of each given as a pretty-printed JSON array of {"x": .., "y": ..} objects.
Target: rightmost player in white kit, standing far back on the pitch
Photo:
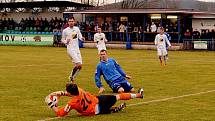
[{"x": 160, "y": 41}]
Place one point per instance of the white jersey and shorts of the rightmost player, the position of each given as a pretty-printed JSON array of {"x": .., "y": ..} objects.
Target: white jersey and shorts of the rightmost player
[{"x": 160, "y": 42}]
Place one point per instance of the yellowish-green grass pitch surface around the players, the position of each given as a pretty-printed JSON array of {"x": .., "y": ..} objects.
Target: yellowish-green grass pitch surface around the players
[{"x": 181, "y": 91}]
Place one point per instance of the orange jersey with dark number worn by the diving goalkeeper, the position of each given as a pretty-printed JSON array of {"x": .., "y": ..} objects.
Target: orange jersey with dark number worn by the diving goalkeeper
[{"x": 84, "y": 103}]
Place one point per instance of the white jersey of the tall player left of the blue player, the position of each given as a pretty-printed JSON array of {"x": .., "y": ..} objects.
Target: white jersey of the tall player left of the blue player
[{"x": 70, "y": 37}]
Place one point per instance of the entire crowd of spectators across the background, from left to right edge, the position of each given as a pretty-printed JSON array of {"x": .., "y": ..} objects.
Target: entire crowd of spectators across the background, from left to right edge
[{"x": 114, "y": 30}]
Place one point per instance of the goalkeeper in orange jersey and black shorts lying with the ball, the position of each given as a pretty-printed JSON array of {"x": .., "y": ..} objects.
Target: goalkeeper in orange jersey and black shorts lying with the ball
[{"x": 86, "y": 103}]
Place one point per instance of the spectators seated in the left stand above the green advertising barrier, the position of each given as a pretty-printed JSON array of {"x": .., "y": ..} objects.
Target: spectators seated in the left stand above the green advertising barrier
[{"x": 31, "y": 24}]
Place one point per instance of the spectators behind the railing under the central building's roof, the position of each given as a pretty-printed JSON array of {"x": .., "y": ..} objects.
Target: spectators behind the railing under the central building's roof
[{"x": 116, "y": 30}]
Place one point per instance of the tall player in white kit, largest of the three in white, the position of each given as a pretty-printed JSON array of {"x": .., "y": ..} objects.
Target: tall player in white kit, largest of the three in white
[{"x": 70, "y": 37}]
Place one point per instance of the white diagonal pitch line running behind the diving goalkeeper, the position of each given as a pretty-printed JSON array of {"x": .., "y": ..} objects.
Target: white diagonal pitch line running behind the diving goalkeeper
[{"x": 148, "y": 102}]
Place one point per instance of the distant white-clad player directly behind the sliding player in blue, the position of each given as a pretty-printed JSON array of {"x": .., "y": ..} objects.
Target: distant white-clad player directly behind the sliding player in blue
[{"x": 100, "y": 40}]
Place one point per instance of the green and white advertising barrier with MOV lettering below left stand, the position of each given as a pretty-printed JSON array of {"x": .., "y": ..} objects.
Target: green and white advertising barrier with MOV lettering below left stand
[{"x": 26, "y": 39}]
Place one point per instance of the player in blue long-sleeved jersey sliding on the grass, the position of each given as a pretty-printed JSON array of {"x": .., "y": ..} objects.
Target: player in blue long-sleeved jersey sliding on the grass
[{"x": 113, "y": 75}]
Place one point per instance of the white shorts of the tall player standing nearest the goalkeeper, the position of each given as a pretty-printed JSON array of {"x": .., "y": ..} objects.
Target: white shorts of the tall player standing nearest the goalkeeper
[{"x": 75, "y": 56}]
